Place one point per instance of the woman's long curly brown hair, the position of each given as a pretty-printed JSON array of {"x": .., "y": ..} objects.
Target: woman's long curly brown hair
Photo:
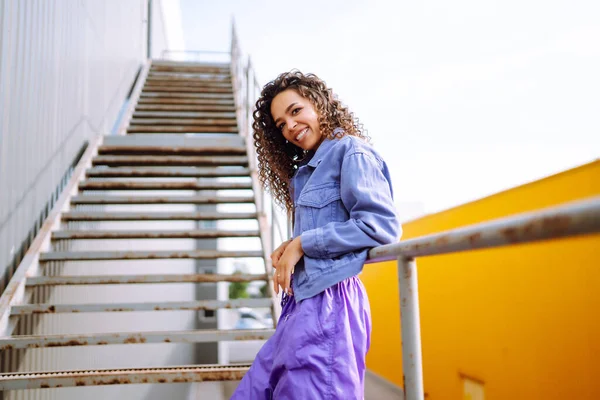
[{"x": 277, "y": 159}]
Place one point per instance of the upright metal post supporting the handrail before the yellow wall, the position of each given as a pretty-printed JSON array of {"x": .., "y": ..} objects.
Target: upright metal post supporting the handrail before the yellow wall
[{"x": 411, "y": 329}]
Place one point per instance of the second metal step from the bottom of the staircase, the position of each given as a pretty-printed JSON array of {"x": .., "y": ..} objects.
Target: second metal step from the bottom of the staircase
[{"x": 95, "y": 339}]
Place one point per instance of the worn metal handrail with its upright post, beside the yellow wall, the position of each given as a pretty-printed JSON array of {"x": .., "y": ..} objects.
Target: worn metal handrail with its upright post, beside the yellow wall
[{"x": 568, "y": 220}]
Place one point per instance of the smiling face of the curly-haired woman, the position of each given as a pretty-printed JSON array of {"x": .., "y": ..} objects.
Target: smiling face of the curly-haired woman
[{"x": 297, "y": 119}]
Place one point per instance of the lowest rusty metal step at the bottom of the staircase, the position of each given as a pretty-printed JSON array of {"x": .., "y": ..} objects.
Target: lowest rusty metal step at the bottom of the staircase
[{"x": 54, "y": 379}]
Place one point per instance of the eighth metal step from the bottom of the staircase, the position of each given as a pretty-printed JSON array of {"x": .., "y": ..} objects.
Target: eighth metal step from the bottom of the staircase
[{"x": 109, "y": 199}]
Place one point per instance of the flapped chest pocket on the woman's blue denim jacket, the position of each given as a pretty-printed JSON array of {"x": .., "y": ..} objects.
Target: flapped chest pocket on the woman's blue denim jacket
[{"x": 318, "y": 206}]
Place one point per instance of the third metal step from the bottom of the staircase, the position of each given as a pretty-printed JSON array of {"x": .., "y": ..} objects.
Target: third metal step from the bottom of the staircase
[{"x": 25, "y": 309}]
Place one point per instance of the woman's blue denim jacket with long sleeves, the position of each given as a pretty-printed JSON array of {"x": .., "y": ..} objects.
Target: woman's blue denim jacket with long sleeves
[{"x": 343, "y": 207}]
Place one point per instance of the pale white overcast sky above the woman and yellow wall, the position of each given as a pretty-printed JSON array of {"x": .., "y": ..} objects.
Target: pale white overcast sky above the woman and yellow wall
[{"x": 463, "y": 99}]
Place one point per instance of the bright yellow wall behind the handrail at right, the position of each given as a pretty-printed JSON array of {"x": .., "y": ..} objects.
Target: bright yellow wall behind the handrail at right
[{"x": 524, "y": 320}]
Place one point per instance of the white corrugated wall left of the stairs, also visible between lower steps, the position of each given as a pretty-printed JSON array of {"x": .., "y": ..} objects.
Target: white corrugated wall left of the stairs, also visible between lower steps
[{"x": 66, "y": 67}]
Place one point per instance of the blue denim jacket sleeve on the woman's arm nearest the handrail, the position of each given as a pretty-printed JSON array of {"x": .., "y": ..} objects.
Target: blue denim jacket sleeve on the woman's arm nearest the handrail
[{"x": 366, "y": 192}]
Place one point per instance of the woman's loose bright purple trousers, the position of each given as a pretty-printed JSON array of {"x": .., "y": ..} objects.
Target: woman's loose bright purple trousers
[{"x": 318, "y": 349}]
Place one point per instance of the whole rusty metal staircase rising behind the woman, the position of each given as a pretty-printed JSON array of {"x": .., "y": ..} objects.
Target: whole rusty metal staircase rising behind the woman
[{"x": 182, "y": 148}]
